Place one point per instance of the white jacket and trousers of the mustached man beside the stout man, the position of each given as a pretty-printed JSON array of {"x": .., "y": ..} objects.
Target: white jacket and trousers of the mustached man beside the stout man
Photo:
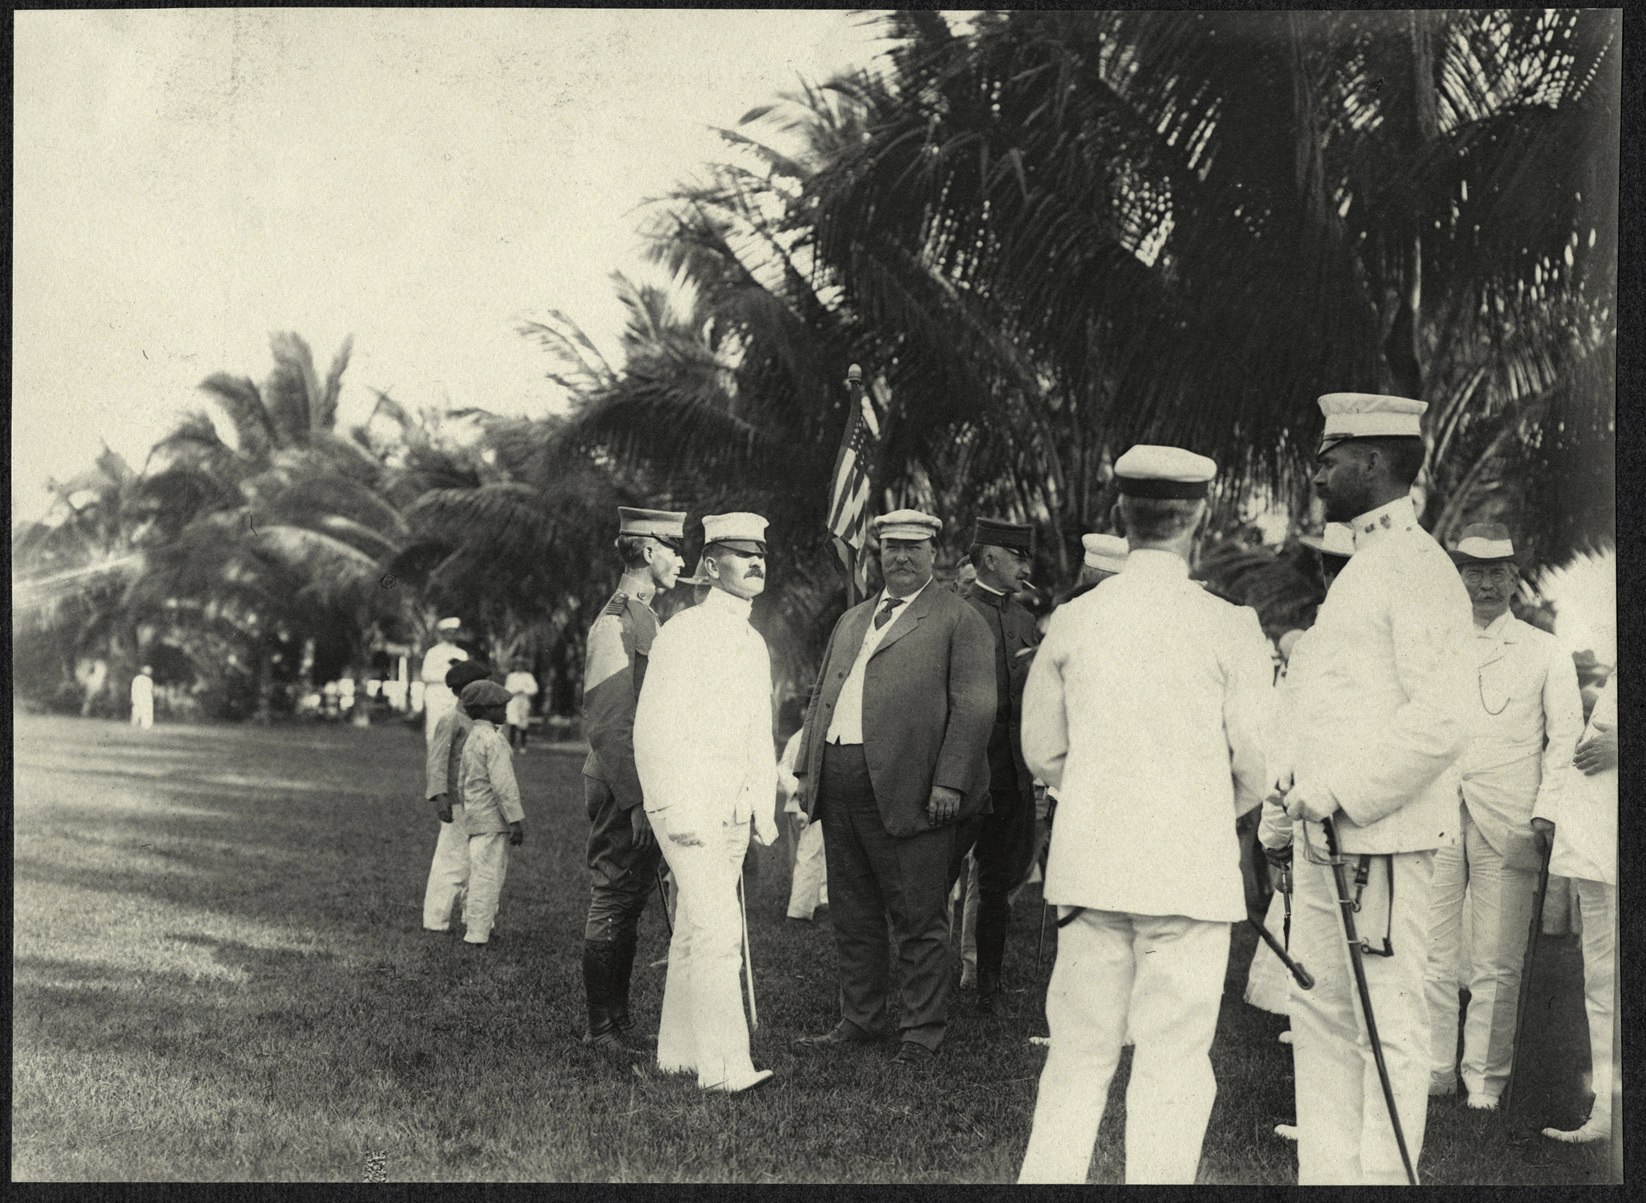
[{"x": 704, "y": 750}]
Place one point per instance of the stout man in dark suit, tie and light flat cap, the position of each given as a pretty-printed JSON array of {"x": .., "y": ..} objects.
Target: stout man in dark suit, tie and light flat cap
[{"x": 895, "y": 761}]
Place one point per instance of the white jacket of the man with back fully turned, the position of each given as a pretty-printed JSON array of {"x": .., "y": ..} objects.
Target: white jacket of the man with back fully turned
[{"x": 1146, "y": 712}]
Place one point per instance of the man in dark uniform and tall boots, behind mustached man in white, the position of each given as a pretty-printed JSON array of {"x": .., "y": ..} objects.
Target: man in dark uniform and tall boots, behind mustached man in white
[{"x": 623, "y": 853}]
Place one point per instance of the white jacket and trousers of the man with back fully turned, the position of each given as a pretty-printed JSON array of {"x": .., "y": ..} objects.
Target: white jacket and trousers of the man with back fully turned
[{"x": 1146, "y": 710}]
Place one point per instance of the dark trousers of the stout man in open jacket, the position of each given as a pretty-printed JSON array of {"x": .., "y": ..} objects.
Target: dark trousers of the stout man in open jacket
[{"x": 873, "y": 876}]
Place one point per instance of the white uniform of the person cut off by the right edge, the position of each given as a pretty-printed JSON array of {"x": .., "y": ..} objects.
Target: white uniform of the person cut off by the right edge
[{"x": 1586, "y": 850}]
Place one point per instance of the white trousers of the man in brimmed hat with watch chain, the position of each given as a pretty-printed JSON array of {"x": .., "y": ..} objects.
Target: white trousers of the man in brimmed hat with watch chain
[{"x": 1500, "y": 911}]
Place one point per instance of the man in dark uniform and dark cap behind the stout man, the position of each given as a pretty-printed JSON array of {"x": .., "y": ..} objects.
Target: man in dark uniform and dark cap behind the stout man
[{"x": 1003, "y": 554}]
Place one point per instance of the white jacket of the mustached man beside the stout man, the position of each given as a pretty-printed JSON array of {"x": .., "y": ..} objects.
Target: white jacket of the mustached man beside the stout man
[{"x": 704, "y": 725}]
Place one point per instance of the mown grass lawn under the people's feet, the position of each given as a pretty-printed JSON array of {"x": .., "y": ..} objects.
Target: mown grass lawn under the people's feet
[{"x": 220, "y": 973}]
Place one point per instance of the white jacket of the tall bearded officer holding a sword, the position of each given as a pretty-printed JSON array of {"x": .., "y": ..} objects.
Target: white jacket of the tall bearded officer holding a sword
[{"x": 1392, "y": 702}]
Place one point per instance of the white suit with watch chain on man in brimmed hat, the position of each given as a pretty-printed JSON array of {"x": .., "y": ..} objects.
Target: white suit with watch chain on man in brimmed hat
[{"x": 1528, "y": 717}]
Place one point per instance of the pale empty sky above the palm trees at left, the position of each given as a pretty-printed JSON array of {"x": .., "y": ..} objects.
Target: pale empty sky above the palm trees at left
[{"x": 187, "y": 182}]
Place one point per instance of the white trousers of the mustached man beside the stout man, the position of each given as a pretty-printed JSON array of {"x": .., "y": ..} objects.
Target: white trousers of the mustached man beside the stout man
[{"x": 704, "y": 1026}]
